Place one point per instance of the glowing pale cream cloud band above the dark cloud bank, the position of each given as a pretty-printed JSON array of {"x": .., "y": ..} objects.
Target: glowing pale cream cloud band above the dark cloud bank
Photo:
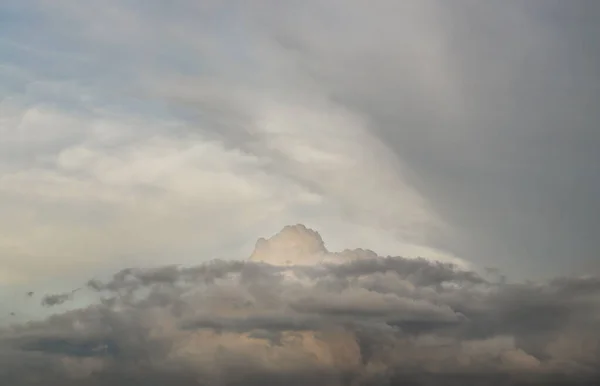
[{"x": 114, "y": 193}]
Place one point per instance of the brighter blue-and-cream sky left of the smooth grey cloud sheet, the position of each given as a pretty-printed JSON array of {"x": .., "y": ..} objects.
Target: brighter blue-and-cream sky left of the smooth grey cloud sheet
[{"x": 110, "y": 137}]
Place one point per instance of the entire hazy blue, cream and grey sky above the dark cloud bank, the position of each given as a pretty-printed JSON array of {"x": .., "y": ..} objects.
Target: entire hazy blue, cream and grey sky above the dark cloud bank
[{"x": 141, "y": 132}]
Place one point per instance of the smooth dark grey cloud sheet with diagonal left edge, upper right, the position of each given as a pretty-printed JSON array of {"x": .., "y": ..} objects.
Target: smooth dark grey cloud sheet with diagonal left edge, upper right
[{"x": 473, "y": 100}]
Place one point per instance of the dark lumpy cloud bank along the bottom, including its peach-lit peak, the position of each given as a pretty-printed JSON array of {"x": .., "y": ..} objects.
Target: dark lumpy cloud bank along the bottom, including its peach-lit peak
[{"x": 298, "y": 314}]
